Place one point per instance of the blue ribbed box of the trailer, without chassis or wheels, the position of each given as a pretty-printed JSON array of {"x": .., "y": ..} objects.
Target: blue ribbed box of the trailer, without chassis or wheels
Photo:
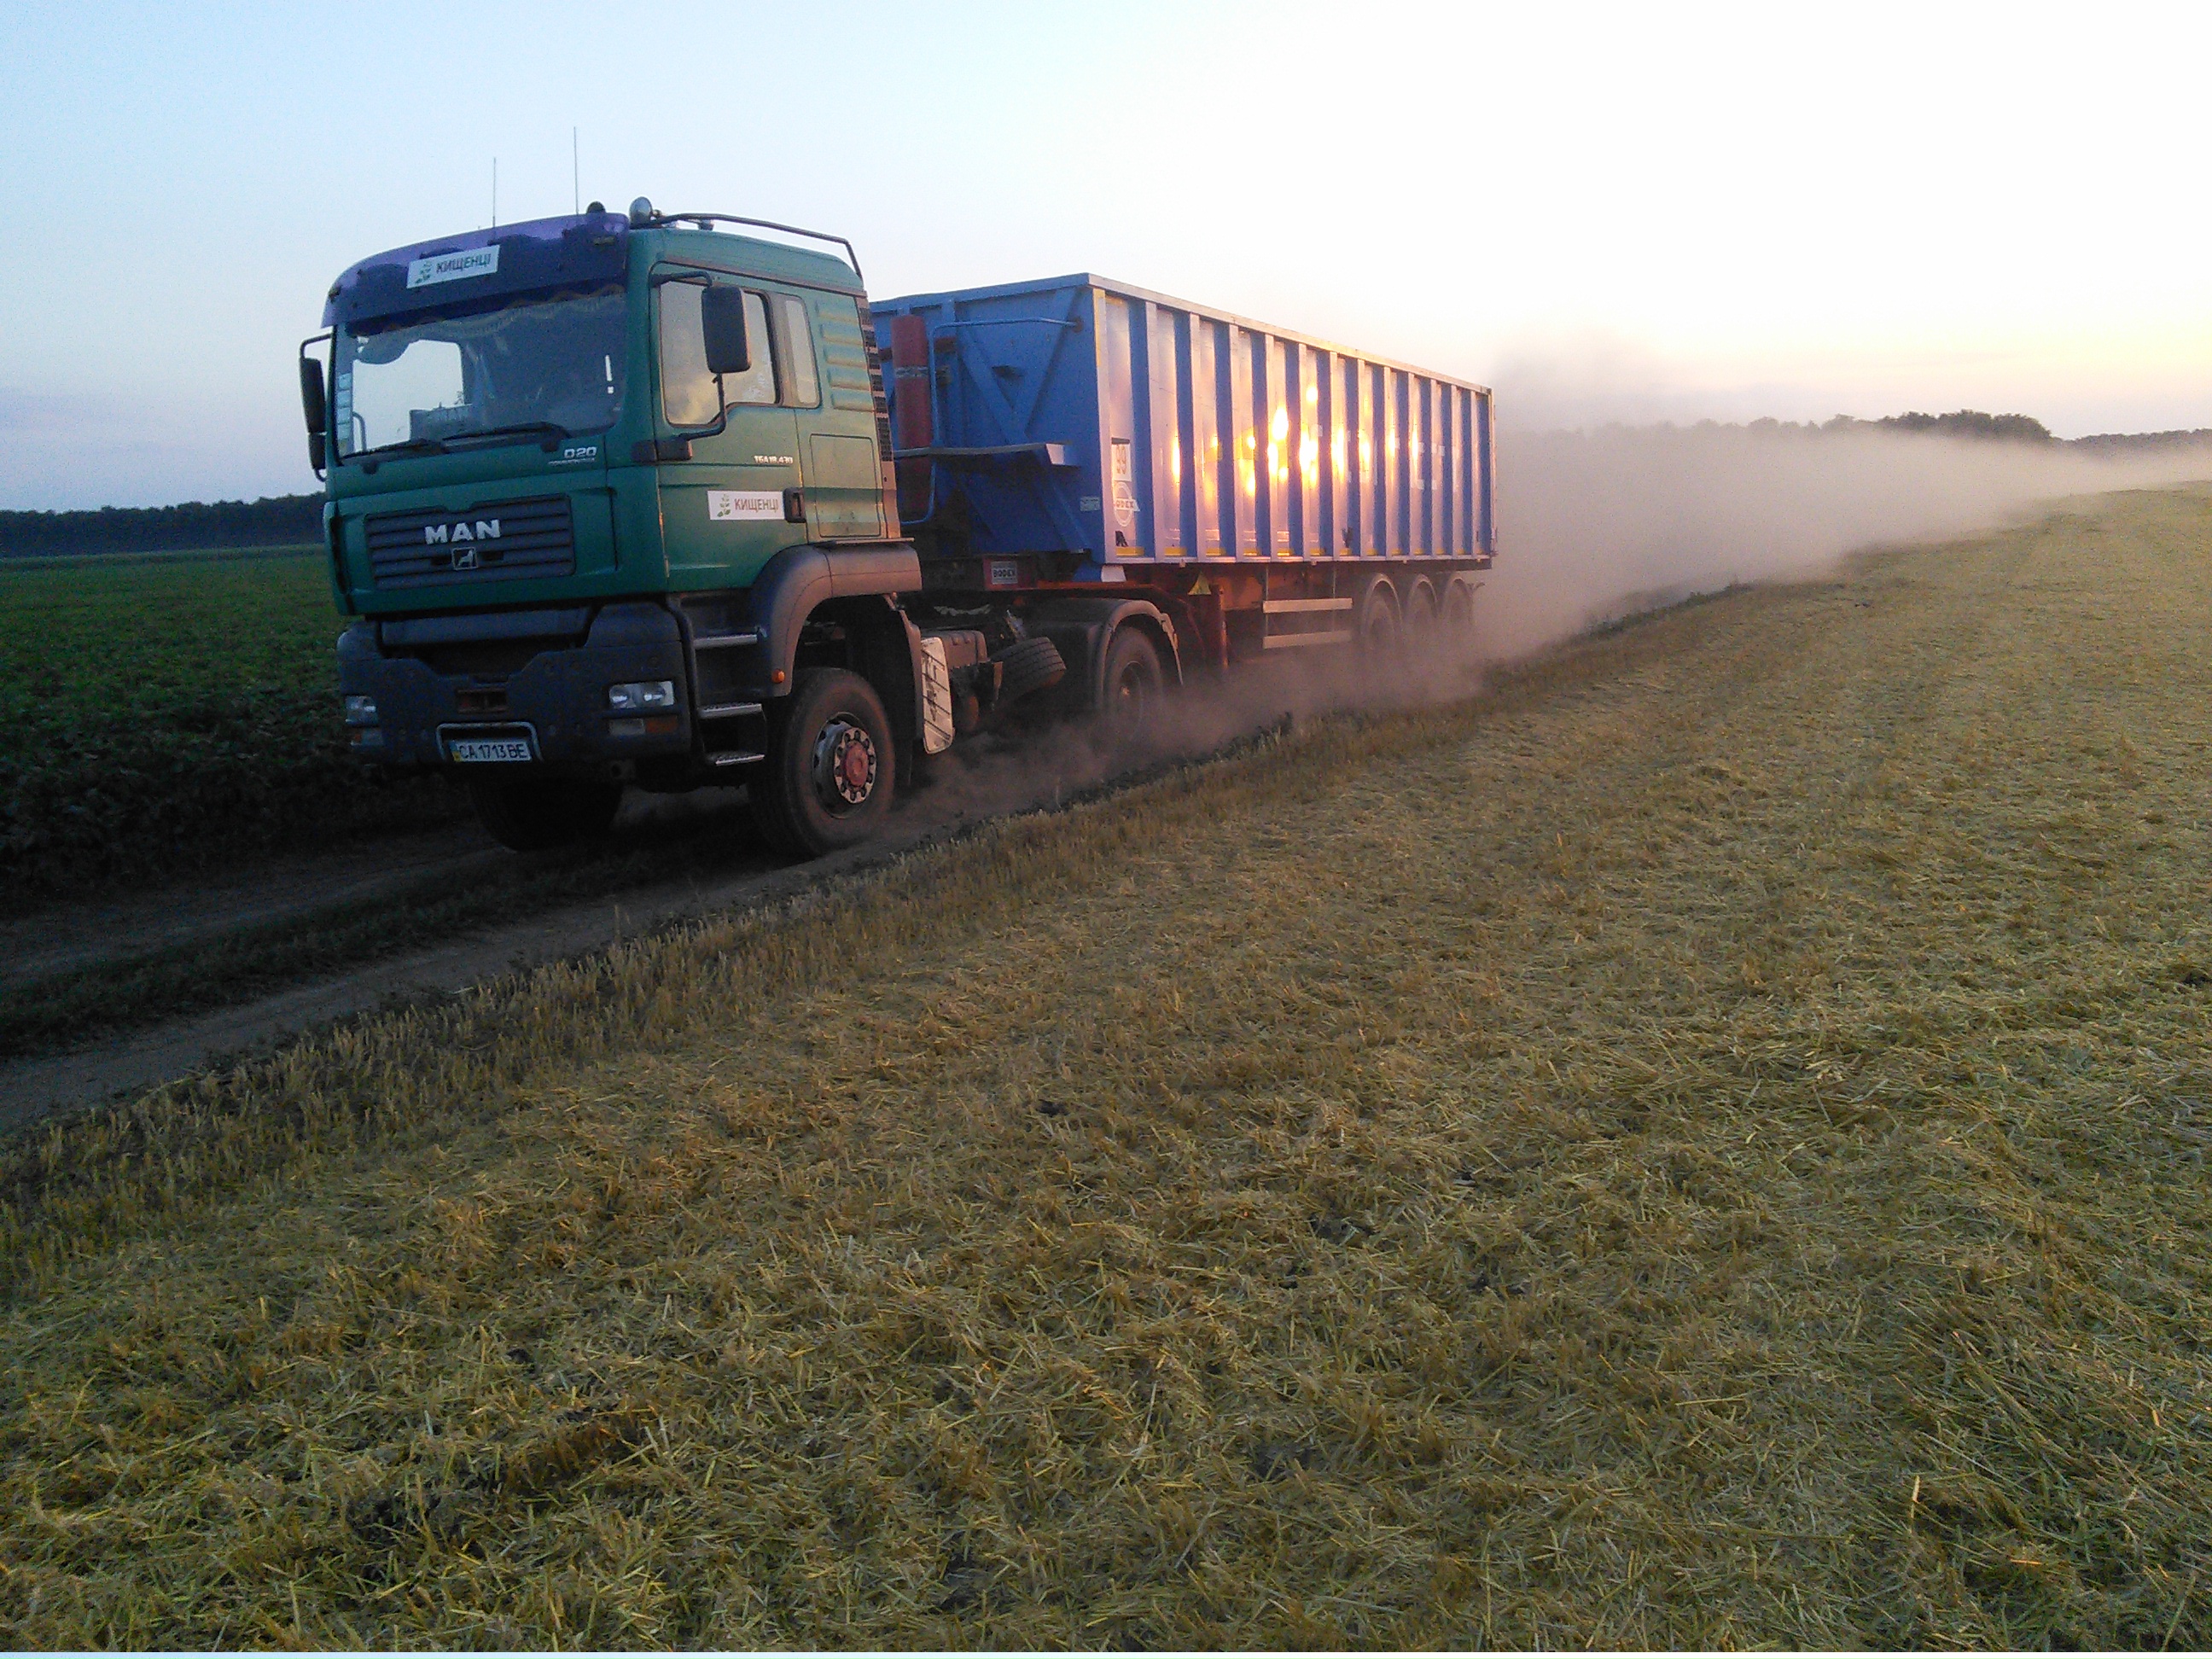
[{"x": 1083, "y": 415}]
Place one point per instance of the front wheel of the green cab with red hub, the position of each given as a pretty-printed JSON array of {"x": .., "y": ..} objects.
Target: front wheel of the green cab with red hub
[{"x": 826, "y": 782}]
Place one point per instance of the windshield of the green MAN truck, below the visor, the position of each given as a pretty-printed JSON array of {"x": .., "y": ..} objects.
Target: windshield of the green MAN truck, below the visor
[{"x": 528, "y": 366}]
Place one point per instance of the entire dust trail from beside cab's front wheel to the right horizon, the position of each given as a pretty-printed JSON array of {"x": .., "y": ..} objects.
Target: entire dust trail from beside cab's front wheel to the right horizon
[{"x": 1594, "y": 525}]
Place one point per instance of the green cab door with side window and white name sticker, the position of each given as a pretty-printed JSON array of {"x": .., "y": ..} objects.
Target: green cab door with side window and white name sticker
[{"x": 724, "y": 510}]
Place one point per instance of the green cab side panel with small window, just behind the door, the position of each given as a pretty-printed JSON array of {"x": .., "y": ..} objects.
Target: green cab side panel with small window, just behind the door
[{"x": 837, "y": 419}]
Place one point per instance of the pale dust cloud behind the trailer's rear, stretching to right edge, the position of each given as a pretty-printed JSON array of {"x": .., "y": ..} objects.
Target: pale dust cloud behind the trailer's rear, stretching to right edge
[{"x": 1596, "y": 525}]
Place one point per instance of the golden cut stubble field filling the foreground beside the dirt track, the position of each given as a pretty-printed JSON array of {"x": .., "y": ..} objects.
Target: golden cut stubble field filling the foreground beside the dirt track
[{"x": 1700, "y": 1147}]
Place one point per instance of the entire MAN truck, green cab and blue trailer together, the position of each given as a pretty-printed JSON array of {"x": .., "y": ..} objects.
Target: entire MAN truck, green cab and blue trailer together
[{"x": 662, "y": 501}]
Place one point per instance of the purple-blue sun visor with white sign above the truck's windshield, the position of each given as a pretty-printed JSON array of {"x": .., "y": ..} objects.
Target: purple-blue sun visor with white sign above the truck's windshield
[{"x": 459, "y": 271}]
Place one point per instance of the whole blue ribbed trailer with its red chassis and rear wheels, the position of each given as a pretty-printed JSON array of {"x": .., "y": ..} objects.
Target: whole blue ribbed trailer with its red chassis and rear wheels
[{"x": 1260, "y": 490}]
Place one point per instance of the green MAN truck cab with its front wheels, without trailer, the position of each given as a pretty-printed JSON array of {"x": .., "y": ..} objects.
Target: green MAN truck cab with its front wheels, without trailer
[{"x": 581, "y": 556}]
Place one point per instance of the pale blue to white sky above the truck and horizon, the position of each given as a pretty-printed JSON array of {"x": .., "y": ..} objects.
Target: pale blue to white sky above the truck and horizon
[{"x": 1609, "y": 213}]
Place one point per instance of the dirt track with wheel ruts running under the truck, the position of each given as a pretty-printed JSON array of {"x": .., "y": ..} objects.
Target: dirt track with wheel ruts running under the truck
[{"x": 716, "y": 857}]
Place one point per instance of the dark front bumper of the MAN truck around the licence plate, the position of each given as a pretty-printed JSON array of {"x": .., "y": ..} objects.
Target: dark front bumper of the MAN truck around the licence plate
[{"x": 490, "y": 678}]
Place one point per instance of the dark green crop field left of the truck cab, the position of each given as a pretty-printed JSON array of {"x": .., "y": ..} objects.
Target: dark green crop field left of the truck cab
[{"x": 171, "y": 713}]
